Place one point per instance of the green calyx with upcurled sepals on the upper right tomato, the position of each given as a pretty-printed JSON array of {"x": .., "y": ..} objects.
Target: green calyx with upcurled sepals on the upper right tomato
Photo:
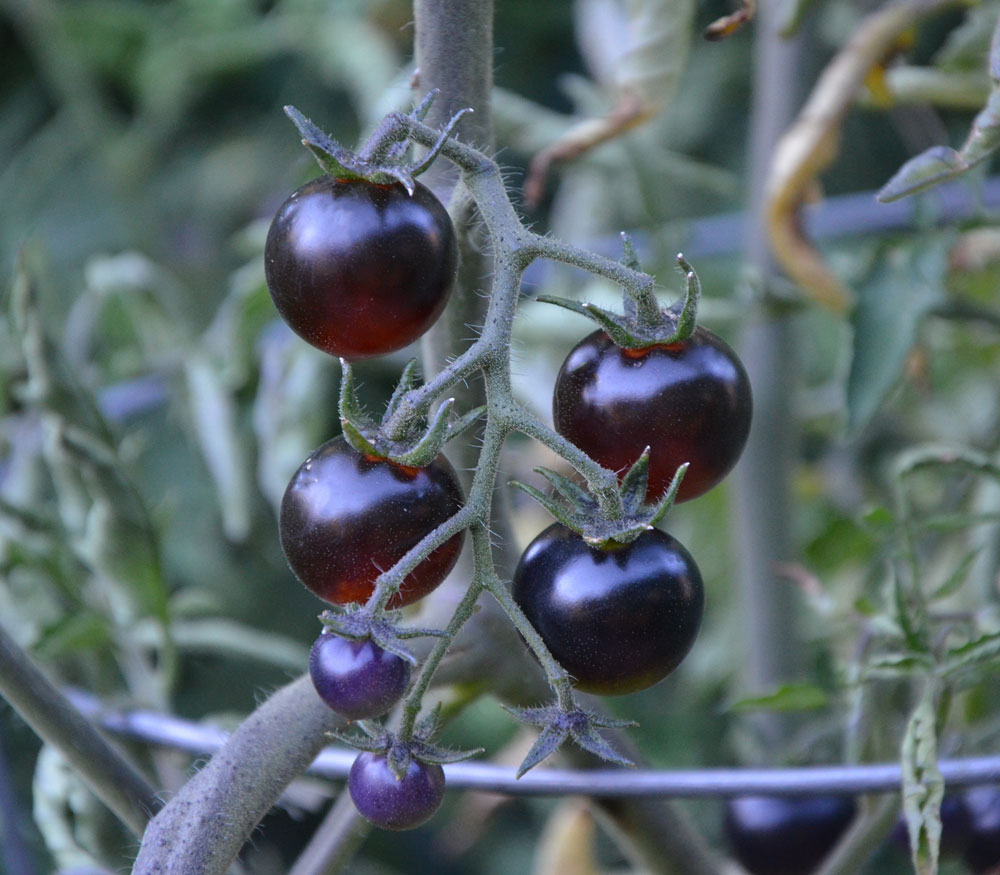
[{"x": 643, "y": 323}]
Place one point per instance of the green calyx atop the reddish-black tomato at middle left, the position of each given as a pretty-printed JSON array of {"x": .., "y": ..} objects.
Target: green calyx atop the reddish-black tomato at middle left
[{"x": 406, "y": 435}]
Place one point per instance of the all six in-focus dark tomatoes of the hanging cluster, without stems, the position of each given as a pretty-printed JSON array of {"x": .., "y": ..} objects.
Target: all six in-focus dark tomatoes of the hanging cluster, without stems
[{"x": 360, "y": 269}]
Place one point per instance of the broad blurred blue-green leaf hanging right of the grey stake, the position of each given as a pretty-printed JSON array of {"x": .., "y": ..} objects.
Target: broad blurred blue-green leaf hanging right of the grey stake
[{"x": 904, "y": 284}]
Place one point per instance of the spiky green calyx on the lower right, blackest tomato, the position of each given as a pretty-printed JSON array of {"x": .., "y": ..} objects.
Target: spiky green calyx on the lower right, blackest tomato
[{"x": 580, "y": 511}]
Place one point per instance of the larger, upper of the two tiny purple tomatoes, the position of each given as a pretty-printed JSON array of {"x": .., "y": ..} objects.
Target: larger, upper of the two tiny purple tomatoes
[{"x": 357, "y": 679}]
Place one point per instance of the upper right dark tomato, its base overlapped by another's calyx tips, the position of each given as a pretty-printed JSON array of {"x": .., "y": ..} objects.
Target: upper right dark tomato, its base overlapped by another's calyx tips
[{"x": 688, "y": 402}]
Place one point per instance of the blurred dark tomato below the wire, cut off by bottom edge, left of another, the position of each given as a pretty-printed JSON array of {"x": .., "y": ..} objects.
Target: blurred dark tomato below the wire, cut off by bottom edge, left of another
[{"x": 778, "y": 835}]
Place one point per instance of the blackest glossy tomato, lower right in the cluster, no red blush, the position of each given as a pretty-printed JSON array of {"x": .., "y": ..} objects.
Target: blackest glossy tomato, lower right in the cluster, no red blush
[{"x": 618, "y": 620}]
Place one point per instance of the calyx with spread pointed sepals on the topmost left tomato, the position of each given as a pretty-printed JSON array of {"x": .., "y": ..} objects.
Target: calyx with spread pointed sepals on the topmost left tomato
[{"x": 384, "y": 160}]
